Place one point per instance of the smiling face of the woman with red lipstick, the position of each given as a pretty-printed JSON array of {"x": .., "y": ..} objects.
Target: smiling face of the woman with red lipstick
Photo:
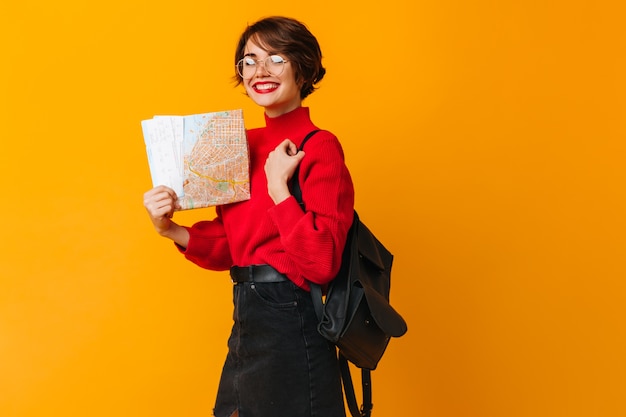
[{"x": 277, "y": 94}]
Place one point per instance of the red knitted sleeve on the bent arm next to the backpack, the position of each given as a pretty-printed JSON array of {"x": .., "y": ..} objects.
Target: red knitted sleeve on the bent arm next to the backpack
[{"x": 315, "y": 239}]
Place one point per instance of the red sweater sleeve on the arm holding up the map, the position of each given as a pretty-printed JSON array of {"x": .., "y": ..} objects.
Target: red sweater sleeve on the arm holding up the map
[{"x": 208, "y": 246}]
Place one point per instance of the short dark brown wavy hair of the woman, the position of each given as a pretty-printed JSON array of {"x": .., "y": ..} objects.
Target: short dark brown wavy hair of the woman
[{"x": 289, "y": 37}]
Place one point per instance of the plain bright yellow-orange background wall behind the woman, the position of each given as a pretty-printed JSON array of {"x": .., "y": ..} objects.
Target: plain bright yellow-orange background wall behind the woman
[{"x": 486, "y": 141}]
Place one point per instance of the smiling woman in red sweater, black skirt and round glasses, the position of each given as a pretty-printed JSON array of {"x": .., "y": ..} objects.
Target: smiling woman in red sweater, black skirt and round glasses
[{"x": 277, "y": 364}]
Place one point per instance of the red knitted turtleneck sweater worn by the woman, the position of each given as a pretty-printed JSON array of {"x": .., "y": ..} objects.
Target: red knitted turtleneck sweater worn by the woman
[{"x": 303, "y": 245}]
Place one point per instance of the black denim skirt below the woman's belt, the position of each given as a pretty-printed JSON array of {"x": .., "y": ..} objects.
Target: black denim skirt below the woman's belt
[{"x": 278, "y": 365}]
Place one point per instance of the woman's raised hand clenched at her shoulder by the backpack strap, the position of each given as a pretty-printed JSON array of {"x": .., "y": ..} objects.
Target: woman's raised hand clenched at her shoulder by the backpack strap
[{"x": 279, "y": 168}]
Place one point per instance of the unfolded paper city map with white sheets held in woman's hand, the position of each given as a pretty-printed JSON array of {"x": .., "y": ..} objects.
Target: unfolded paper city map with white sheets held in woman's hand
[{"x": 202, "y": 157}]
